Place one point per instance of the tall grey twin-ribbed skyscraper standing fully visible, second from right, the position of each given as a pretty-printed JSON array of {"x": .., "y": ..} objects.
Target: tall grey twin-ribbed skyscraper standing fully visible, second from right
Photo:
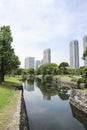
[{"x": 74, "y": 54}]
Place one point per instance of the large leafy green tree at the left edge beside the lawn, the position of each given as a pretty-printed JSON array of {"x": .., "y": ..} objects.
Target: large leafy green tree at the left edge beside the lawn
[{"x": 8, "y": 60}]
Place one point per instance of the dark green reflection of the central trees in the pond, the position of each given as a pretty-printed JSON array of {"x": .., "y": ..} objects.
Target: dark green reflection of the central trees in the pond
[{"x": 48, "y": 89}]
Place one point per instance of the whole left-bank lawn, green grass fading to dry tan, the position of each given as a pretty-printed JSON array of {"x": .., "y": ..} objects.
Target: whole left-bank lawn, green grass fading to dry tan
[{"x": 8, "y": 101}]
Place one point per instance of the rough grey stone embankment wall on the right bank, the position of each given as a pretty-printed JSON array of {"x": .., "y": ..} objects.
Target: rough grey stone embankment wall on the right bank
[{"x": 79, "y": 100}]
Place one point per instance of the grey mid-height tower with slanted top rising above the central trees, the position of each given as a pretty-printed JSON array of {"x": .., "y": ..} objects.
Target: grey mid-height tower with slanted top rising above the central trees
[{"x": 47, "y": 56}]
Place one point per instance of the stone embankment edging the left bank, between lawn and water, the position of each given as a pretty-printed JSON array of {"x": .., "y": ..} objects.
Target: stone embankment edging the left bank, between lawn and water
[{"x": 23, "y": 123}]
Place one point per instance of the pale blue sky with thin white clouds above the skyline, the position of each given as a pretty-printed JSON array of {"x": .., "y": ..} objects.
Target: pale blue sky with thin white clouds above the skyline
[{"x": 40, "y": 24}]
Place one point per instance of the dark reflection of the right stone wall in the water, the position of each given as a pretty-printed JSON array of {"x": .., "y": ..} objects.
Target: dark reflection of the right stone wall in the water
[{"x": 80, "y": 116}]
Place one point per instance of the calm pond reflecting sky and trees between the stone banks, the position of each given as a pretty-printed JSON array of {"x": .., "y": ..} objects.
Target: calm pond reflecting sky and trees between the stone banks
[{"x": 48, "y": 107}]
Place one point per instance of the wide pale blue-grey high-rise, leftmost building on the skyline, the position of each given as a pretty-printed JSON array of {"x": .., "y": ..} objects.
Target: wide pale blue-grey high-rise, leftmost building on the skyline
[{"x": 29, "y": 62}]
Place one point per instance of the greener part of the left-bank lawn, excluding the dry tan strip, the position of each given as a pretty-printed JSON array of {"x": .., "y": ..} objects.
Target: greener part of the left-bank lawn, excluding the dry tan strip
[{"x": 7, "y": 91}]
